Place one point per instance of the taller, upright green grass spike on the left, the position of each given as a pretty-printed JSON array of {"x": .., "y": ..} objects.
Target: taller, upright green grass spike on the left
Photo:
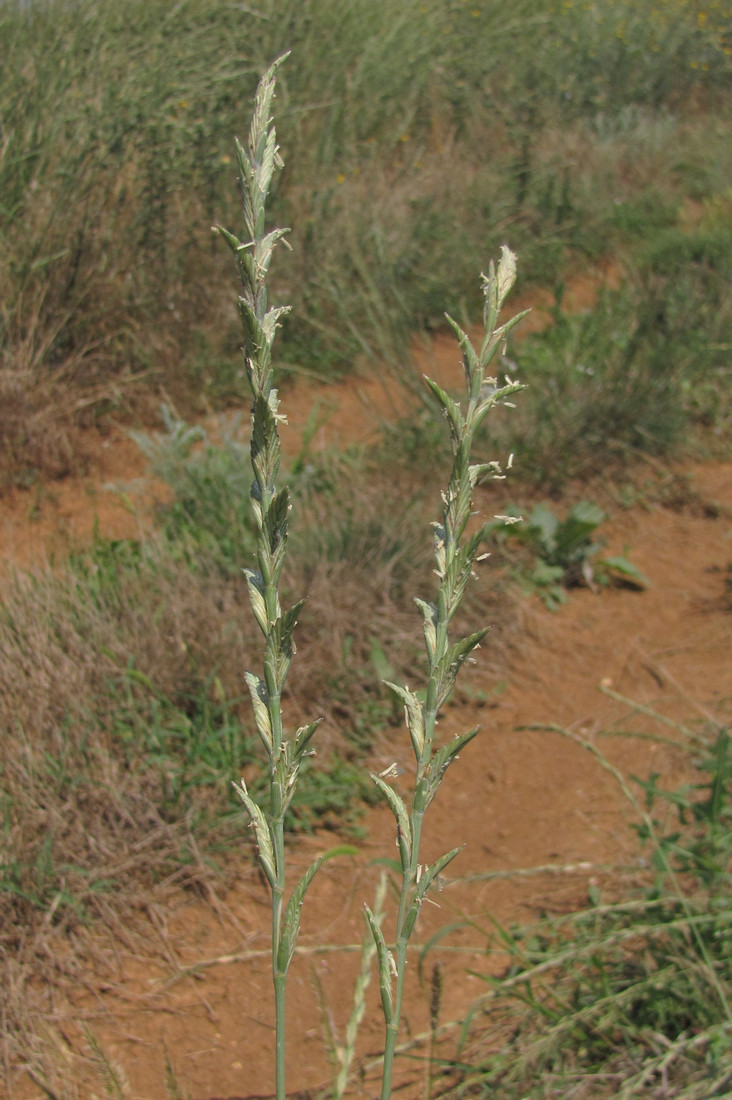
[{"x": 270, "y": 508}]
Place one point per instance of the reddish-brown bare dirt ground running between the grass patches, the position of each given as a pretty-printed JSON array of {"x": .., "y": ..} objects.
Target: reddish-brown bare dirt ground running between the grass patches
[{"x": 187, "y": 977}]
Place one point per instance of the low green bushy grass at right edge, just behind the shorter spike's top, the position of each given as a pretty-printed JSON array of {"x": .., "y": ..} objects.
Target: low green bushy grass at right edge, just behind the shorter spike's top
[{"x": 633, "y": 375}]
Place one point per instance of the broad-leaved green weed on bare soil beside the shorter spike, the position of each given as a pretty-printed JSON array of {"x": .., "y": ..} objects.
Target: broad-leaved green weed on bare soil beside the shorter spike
[{"x": 565, "y": 554}]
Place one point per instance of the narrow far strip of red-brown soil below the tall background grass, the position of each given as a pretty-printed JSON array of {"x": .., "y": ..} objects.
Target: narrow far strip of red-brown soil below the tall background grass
[{"x": 116, "y": 497}]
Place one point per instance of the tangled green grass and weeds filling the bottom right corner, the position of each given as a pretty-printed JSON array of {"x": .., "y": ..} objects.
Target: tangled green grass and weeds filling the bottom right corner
[{"x": 632, "y": 997}]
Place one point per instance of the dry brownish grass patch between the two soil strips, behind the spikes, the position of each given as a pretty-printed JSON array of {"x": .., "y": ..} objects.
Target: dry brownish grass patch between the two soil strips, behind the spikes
[{"x": 114, "y": 667}]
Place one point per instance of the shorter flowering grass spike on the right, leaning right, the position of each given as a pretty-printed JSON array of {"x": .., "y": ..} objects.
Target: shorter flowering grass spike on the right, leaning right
[{"x": 456, "y": 555}]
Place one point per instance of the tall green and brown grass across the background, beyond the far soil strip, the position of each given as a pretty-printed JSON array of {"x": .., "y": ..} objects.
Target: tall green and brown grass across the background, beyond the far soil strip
[{"x": 420, "y": 137}]
